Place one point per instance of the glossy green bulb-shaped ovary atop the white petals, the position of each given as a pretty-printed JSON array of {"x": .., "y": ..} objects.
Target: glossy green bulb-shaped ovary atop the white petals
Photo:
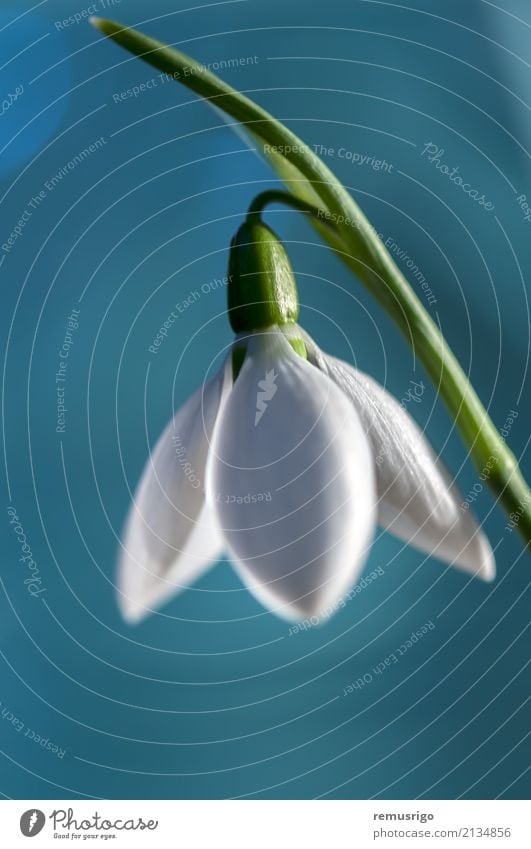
[{"x": 262, "y": 291}]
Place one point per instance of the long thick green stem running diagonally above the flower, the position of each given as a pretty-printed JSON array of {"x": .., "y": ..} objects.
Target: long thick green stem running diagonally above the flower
[{"x": 346, "y": 229}]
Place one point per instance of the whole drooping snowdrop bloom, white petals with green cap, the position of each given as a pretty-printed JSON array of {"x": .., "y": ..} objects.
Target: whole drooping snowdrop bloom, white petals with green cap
[{"x": 287, "y": 460}]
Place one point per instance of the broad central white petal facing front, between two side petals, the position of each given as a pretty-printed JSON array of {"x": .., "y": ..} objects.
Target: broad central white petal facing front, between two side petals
[{"x": 291, "y": 478}]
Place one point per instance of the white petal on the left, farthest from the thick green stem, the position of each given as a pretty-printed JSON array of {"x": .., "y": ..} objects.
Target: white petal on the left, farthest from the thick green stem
[{"x": 171, "y": 536}]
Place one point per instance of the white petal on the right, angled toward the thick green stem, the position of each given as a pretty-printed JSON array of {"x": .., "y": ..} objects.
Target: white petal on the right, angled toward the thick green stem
[{"x": 418, "y": 502}]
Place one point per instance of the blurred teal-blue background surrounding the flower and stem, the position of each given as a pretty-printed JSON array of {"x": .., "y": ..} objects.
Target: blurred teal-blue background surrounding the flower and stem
[{"x": 213, "y": 697}]
